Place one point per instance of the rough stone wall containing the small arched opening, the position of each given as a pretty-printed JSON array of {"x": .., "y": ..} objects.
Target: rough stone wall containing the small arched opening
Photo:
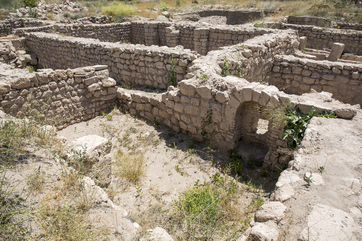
[{"x": 187, "y": 109}]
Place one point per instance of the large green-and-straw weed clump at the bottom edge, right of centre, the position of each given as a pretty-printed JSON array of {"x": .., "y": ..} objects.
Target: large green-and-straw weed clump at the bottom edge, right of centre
[{"x": 210, "y": 211}]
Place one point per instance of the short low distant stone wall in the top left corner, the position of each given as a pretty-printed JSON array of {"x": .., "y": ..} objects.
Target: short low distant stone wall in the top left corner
[{"x": 7, "y": 26}]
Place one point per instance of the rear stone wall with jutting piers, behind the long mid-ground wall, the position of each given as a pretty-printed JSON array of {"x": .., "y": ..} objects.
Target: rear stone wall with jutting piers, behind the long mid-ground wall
[{"x": 193, "y": 37}]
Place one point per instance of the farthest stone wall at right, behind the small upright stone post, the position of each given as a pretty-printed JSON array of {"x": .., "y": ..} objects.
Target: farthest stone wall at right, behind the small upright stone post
[{"x": 318, "y": 37}]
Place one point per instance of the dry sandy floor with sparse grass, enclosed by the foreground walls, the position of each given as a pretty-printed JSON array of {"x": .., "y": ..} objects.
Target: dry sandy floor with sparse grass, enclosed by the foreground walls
[{"x": 173, "y": 162}]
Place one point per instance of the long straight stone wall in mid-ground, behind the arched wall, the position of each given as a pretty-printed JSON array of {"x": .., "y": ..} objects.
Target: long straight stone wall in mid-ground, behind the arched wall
[{"x": 130, "y": 65}]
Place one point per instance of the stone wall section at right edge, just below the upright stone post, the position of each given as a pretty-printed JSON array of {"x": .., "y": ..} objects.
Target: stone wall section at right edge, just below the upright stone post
[{"x": 297, "y": 76}]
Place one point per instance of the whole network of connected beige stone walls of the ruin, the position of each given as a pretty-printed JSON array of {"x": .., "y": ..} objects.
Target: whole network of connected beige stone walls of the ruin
[{"x": 84, "y": 67}]
